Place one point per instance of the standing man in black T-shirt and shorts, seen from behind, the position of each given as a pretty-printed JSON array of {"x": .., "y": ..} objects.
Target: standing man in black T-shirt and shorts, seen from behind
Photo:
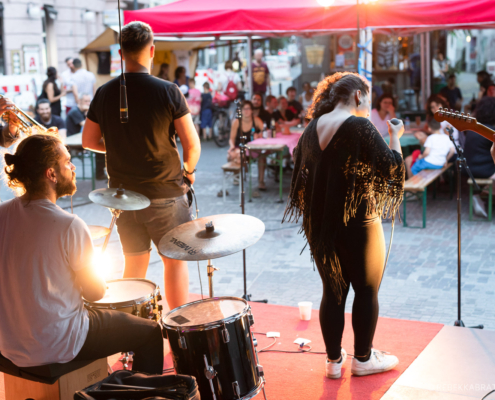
[{"x": 142, "y": 156}]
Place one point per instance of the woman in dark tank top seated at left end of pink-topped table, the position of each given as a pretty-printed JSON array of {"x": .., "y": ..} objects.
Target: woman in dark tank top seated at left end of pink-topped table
[{"x": 251, "y": 128}]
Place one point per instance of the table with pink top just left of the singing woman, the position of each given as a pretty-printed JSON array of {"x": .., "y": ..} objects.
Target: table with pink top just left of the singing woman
[{"x": 277, "y": 145}]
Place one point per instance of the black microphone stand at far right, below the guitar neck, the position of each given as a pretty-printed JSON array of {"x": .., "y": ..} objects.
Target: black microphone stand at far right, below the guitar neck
[{"x": 460, "y": 162}]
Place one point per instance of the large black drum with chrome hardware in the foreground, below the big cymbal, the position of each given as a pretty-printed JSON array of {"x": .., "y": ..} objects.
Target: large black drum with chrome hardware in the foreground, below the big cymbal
[{"x": 211, "y": 340}]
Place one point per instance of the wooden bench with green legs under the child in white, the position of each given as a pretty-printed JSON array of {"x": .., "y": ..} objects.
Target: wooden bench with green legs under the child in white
[{"x": 418, "y": 185}]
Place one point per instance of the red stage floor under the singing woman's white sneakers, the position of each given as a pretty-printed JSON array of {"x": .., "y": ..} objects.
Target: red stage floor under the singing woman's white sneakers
[{"x": 302, "y": 376}]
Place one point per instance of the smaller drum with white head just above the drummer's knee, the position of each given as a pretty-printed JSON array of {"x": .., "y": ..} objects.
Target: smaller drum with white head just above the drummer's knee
[{"x": 138, "y": 297}]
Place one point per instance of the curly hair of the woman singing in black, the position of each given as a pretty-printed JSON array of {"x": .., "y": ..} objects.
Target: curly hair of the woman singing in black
[{"x": 334, "y": 89}]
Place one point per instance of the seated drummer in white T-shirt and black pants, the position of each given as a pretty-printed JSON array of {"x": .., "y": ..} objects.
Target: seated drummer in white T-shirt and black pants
[{"x": 46, "y": 271}]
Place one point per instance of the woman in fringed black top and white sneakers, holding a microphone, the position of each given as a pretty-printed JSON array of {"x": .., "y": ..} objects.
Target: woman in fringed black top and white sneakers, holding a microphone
[{"x": 345, "y": 179}]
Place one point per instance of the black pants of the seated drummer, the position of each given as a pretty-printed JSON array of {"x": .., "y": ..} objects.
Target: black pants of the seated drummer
[{"x": 112, "y": 332}]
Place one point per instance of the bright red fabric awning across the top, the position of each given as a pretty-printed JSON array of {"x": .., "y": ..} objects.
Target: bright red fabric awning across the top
[{"x": 306, "y": 17}]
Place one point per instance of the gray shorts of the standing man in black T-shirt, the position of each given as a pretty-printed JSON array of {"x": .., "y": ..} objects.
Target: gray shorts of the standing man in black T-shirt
[{"x": 138, "y": 228}]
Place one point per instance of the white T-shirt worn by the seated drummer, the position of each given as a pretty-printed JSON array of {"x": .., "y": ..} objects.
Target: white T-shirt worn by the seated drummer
[{"x": 42, "y": 317}]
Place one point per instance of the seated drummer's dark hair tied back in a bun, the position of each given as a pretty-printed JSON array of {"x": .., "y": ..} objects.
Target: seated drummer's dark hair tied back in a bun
[{"x": 33, "y": 156}]
